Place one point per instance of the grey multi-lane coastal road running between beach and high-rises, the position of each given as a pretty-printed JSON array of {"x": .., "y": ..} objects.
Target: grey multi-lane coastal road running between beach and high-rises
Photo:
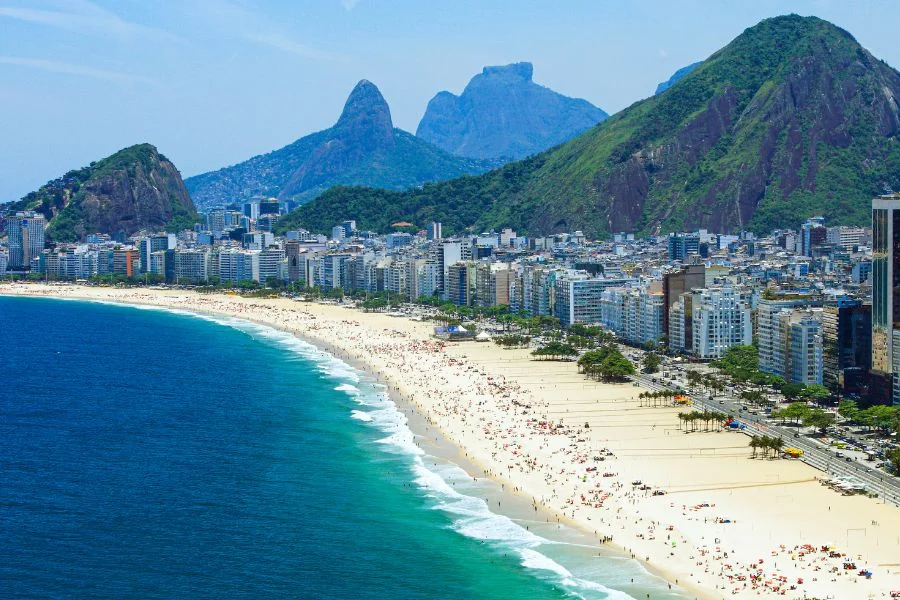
[{"x": 816, "y": 455}]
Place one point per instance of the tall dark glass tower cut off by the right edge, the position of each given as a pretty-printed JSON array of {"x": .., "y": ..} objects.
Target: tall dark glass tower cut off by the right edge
[{"x": 886, "y": 289}]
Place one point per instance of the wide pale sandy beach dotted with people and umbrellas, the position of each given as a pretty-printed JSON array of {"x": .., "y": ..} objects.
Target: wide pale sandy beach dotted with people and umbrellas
[{"x": 694, "y": 507}]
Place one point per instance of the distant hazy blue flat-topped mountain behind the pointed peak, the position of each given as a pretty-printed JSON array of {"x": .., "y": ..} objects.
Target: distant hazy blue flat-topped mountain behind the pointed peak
[{"x": 503, "y": 114}]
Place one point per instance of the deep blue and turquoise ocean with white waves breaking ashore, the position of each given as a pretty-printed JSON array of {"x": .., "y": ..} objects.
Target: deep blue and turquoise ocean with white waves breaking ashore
[{"x": 156, "y": 454}]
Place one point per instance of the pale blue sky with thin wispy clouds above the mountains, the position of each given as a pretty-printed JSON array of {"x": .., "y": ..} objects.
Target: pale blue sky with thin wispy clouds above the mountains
[{"x": 214, "y": 82}]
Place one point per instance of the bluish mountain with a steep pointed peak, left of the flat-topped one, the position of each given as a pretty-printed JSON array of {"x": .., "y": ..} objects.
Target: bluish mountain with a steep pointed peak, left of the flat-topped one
[{"x": 362, "y": 148}]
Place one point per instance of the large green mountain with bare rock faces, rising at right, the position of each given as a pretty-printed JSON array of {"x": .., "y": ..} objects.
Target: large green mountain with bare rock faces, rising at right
[{"x": 793, "y": 118}]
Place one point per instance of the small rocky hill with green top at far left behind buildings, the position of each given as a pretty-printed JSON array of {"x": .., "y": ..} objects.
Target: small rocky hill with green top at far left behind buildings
[{"x": 135, "y": 188}]
